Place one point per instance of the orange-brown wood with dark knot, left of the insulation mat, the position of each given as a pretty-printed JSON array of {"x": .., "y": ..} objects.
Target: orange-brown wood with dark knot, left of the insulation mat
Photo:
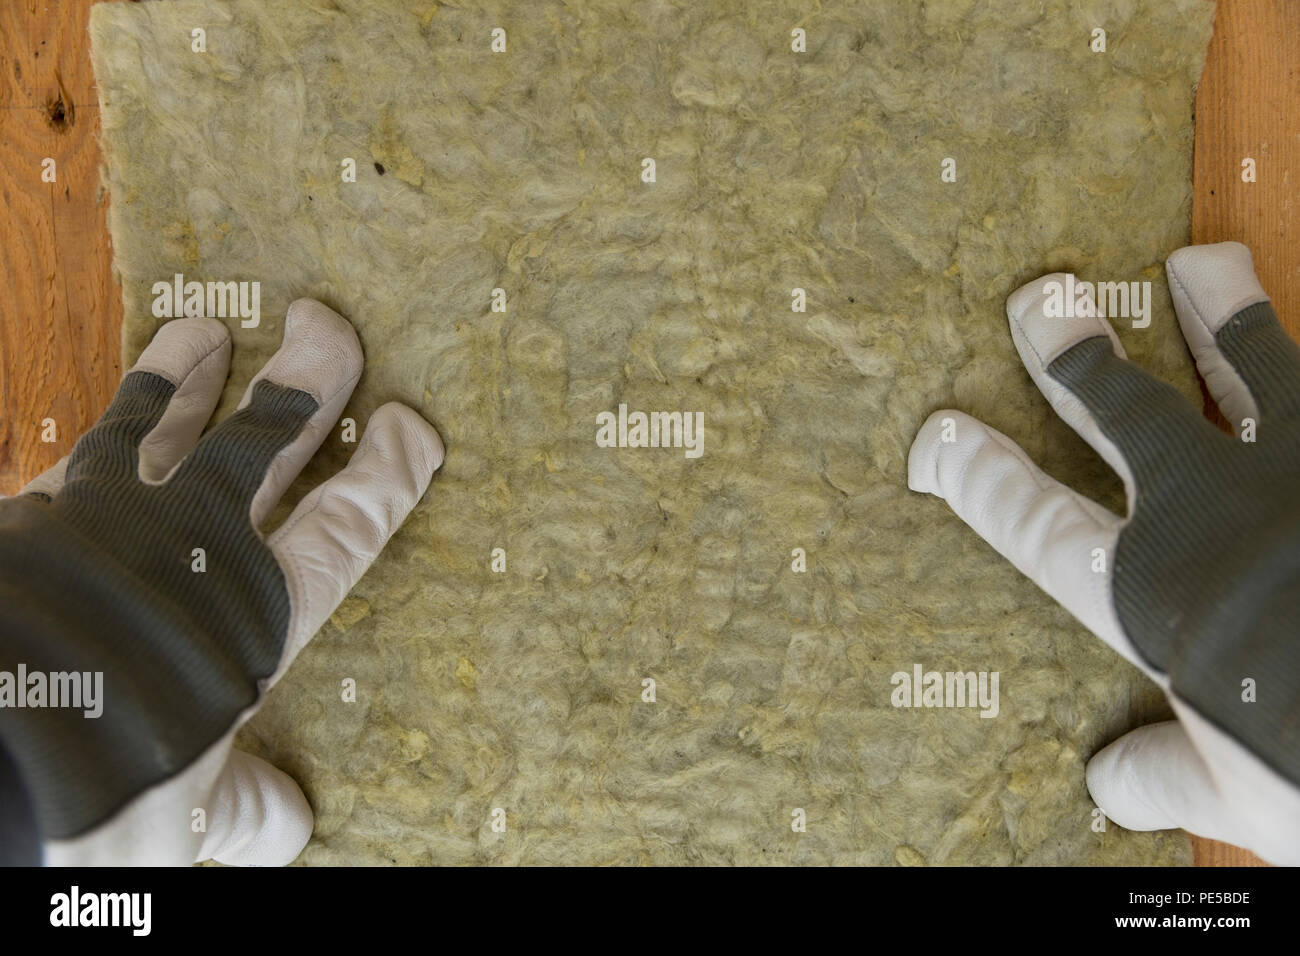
[{"x": 60, "y": 319}]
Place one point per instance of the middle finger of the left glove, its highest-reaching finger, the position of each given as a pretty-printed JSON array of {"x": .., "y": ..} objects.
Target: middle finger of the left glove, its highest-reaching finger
[{"x": 285, "y": 414}]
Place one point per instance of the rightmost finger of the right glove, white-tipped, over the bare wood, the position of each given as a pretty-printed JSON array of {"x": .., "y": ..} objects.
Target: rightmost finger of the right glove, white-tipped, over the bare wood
[{"x": 1250, "y": 365}]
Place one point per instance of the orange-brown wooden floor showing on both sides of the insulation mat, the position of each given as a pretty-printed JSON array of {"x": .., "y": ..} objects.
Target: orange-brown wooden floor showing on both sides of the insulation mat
[{"x": 62, "y": 310}]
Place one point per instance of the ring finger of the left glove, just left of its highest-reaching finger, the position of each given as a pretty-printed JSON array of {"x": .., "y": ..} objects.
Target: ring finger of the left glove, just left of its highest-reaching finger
[{"x": 146, "y": 430}]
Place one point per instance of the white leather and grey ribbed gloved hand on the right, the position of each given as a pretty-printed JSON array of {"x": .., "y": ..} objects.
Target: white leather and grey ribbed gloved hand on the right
[{"x": 1202, "y": 579}]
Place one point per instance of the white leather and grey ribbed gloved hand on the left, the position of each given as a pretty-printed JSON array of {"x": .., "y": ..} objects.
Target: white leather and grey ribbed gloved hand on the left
[{"x": 98, "y": 573}]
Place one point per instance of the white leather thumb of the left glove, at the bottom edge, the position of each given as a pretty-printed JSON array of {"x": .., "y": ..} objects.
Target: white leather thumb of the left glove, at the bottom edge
[{"x": 257, "y": 816}]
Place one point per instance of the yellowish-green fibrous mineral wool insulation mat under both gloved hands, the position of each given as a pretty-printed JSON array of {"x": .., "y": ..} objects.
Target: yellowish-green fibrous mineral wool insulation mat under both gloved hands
[{"x": 775, "y": 171}]
